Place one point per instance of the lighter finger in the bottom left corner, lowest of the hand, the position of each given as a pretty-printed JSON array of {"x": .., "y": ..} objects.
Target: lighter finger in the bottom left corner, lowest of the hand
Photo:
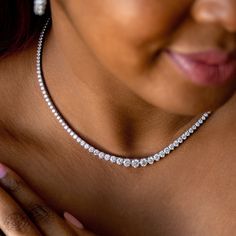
[{"x": 13, "y": 220}]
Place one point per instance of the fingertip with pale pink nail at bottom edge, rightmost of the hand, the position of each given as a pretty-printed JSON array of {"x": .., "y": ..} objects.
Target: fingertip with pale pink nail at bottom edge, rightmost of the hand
[{"x": 76, "y": 225}]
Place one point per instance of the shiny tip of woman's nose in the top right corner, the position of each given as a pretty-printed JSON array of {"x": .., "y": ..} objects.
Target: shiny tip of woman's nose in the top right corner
[{"x": 217, "y": 12}]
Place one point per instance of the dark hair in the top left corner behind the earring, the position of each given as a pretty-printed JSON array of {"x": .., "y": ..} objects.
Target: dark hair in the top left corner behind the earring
[{"x": 18, "y": 25}]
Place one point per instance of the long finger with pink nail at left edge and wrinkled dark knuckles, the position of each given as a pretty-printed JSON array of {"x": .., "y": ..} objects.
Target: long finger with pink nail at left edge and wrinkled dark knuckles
[{"x": 47, "y": 221}]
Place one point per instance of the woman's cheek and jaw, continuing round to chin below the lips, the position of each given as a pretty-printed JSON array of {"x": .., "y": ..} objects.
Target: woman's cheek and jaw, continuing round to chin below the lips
[{"x": 125, "y": 35}]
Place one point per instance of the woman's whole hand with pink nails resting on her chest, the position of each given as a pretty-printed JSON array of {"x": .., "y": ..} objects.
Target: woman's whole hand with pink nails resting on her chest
[{"x": 22, "y": 212}]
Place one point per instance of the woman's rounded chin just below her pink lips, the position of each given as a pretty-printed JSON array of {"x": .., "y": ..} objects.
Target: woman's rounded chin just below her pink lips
[{"x": 168, "y": 89}]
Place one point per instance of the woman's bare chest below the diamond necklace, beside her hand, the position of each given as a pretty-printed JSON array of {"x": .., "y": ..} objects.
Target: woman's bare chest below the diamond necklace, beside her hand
[{"x": 183, "y": 194}]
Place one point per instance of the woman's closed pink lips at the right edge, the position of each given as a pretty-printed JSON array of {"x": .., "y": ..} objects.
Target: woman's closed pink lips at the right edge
[{"x": 206, "y": 68}]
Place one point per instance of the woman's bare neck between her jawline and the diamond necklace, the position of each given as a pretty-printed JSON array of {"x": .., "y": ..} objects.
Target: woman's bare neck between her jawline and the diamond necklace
[{"x": 97, "y": 105}]
